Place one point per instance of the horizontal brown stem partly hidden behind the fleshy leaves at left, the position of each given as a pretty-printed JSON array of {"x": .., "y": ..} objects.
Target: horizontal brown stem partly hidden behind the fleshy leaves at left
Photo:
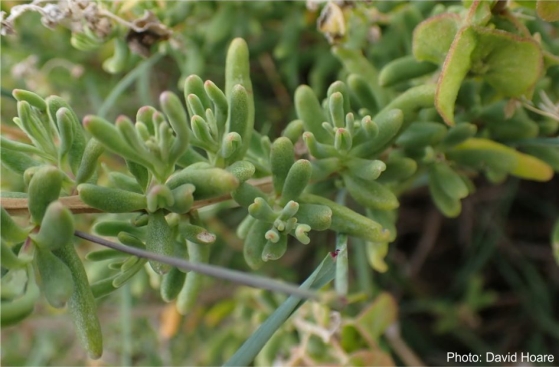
[{"x": 19, "y": 206}]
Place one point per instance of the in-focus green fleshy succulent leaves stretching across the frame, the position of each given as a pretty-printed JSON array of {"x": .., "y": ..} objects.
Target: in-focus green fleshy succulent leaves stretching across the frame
[{"x": 364, "y": 138}]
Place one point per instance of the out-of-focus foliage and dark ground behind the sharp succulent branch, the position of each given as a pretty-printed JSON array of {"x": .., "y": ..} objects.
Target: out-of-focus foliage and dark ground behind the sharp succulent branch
[{"x": 485, "y": 282}]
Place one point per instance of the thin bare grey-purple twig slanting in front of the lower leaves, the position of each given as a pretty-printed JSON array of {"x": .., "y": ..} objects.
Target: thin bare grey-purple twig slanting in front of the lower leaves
[{"x": 206, "y": 269}]
